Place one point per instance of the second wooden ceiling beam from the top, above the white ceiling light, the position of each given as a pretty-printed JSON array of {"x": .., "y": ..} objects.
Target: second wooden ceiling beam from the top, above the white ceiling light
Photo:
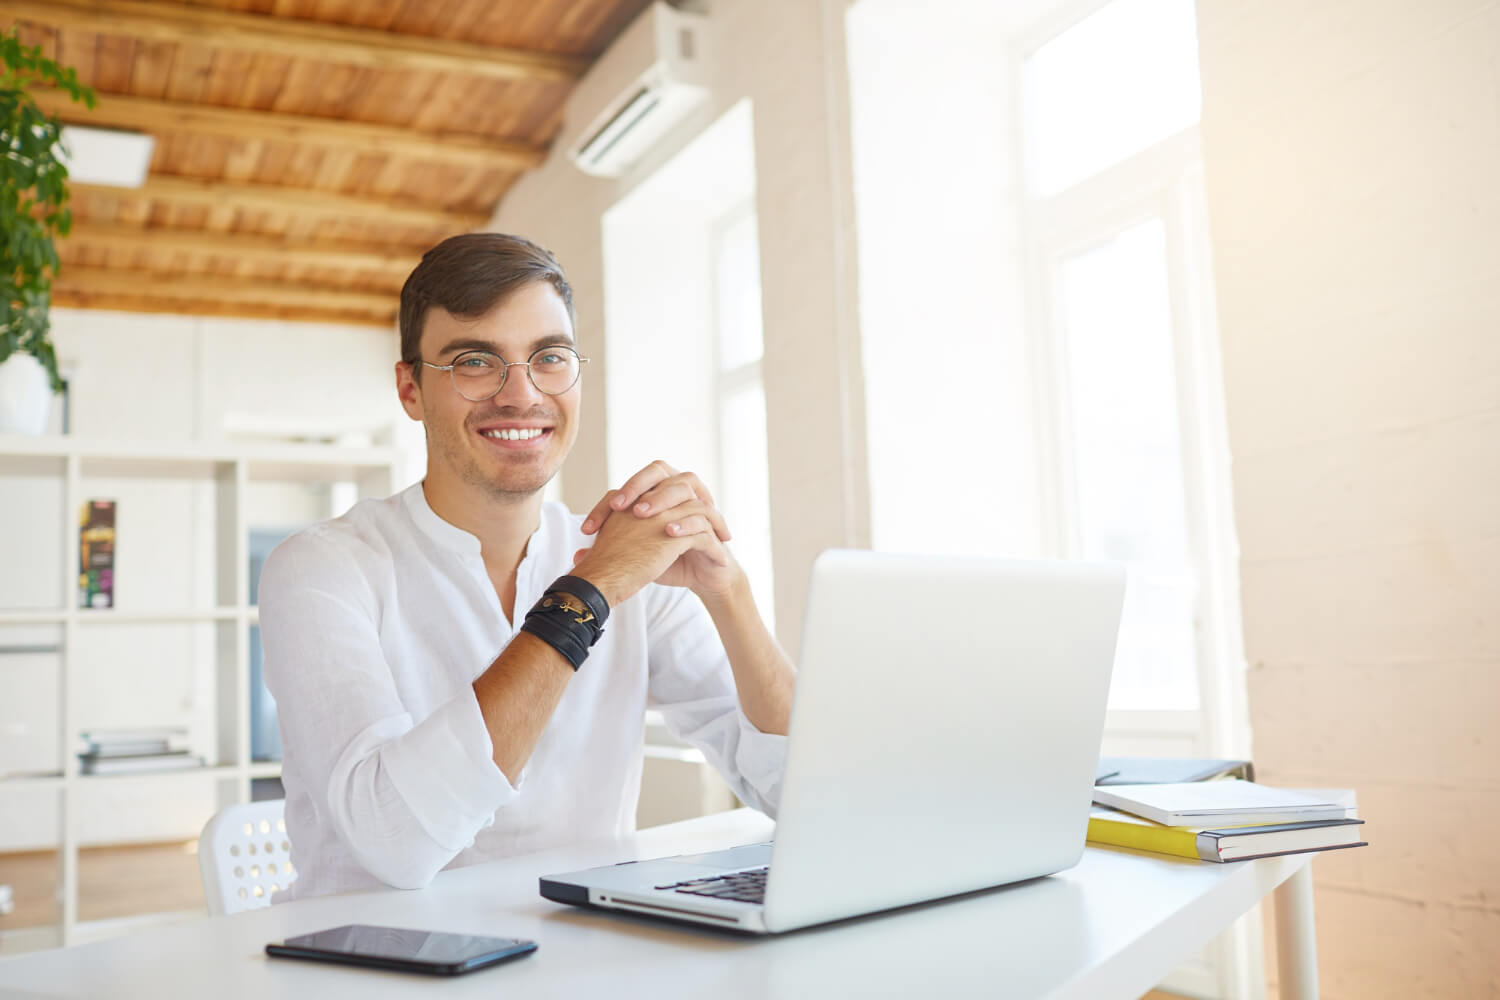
[{"x": 148, "y": 115}]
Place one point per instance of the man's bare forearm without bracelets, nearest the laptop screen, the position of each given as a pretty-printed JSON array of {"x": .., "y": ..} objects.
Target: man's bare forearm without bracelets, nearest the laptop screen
[{"x": 764, "y": 677}]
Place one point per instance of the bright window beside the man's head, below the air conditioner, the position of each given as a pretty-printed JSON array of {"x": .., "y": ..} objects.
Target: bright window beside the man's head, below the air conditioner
[{"x": 683, "y": 307}]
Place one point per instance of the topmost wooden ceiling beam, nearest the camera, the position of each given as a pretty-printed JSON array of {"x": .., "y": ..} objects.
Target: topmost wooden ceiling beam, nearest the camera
[{"x": 319, "y": 41}]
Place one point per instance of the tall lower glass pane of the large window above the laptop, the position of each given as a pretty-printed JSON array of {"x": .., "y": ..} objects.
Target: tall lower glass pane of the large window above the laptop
[{"x": 1129, "y": 494}]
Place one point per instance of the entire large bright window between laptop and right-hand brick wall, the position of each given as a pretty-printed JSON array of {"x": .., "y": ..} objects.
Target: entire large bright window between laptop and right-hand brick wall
[{"x": 1132, "y": 413}]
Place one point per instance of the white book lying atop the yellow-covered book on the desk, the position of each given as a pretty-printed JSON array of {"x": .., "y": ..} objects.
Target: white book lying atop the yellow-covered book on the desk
[{"x": 1216, "y": 804}]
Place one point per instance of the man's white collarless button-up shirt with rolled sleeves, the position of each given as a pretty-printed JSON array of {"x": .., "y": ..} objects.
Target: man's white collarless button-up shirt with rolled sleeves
[{"x": 377, "y": 624}]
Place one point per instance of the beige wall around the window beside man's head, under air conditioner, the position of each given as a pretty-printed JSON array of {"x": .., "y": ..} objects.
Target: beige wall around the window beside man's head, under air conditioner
[{"x": 785, "y": 56}]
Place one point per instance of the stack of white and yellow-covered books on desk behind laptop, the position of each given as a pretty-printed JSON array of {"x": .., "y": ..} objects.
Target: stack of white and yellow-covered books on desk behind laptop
[{"x": 1223, "y": 821}]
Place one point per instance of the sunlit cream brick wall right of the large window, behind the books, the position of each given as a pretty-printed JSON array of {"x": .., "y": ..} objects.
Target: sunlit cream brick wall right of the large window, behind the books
[{"x": 1352, "y": 155}]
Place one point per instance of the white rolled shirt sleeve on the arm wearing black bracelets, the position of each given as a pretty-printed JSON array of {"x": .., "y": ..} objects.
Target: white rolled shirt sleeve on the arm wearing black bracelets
[{"x": 404, "y": 795}]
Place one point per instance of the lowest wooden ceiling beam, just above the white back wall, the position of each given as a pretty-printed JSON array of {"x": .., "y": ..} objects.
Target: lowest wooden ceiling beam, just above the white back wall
[{"x": 73, "y": 283}]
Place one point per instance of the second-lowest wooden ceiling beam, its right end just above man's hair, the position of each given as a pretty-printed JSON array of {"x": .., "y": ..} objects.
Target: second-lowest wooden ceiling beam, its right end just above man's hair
[{"x": 257, "y": 248}]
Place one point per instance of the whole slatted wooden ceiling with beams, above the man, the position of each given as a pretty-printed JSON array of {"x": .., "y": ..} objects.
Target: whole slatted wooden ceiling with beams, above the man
[{"x": 307, "y": 151}]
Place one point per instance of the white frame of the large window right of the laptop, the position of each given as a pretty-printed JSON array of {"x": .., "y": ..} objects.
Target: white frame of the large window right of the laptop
[{"x": 1163, "y": 181}]
